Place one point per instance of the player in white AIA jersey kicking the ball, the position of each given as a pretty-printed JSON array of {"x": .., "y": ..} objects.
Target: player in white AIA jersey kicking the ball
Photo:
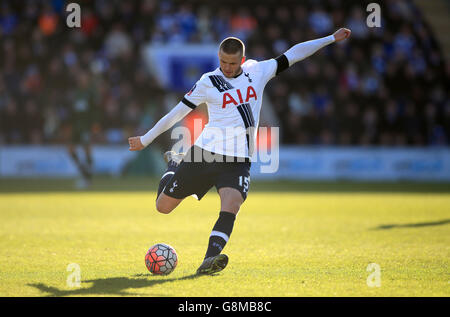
[{"x": 233, "y": 93}]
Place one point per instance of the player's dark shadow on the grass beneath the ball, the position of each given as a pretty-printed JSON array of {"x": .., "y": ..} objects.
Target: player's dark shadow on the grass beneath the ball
[{"x": 111, "y": 286}]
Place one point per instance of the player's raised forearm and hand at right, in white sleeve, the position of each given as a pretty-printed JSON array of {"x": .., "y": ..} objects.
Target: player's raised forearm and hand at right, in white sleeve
[{"x": 305, "y": 49}]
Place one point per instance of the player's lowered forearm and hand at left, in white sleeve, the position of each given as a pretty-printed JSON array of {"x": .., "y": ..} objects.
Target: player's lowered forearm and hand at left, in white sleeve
[{"x": 165, "y": 123}]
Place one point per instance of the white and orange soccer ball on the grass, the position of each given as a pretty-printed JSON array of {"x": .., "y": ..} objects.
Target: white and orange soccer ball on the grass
[{"x": 161, "y": 259}]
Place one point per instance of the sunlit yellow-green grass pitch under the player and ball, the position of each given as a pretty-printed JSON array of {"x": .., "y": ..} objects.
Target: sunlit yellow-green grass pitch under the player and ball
[{"x": 290, "y": 239}]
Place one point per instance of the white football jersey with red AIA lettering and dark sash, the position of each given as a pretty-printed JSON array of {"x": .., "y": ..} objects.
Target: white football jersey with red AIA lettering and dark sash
[{"x": 234, "y": 106}]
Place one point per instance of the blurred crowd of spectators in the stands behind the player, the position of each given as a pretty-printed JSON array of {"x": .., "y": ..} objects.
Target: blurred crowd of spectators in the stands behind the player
[{"x": 387, "y": 85}]
